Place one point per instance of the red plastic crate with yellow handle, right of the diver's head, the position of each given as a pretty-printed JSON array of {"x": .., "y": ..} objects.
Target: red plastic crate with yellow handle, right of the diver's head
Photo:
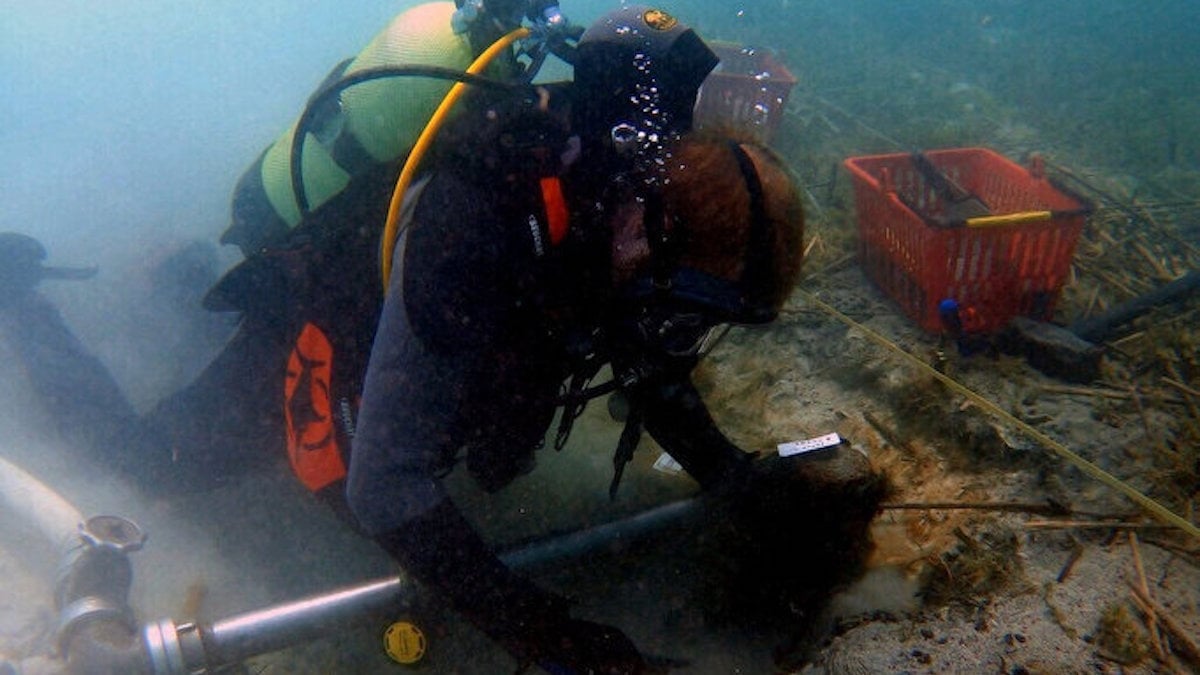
[{"x": 998, "y": 268}]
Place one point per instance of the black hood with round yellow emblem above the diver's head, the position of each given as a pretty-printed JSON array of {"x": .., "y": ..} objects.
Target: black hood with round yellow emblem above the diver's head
[{"x": 639, "y": 67}]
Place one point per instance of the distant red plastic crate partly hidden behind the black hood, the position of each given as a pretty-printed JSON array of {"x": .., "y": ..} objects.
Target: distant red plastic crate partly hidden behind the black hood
[{"x": 747, "y": 91}]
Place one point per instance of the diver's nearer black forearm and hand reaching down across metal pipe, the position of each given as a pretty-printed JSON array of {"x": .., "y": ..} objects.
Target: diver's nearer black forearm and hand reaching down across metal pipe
[{"x": 442, "y": 551}]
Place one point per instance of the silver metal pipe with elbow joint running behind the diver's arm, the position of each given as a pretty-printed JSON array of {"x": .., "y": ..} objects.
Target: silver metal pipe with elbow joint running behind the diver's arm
[{"x": 98, "y": 632}]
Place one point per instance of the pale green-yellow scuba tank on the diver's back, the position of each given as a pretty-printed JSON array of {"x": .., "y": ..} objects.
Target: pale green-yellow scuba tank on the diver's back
[{"x": 369, "y": 124}]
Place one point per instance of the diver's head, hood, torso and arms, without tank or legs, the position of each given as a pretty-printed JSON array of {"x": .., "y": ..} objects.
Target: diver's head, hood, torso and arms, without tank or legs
[{"x": 603, "y": 235}]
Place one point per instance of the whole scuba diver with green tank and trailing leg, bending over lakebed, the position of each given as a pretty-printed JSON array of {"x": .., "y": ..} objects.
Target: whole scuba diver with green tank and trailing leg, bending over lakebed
[{"x": 554, "y": 230}]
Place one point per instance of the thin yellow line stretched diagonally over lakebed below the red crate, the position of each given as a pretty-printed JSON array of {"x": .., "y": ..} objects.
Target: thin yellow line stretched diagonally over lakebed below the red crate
[{"x": 1145, "y": 503}]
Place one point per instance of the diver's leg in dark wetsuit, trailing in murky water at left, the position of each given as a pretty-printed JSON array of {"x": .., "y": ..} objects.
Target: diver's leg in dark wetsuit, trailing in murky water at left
[{"x": 218, "y": 426}]
